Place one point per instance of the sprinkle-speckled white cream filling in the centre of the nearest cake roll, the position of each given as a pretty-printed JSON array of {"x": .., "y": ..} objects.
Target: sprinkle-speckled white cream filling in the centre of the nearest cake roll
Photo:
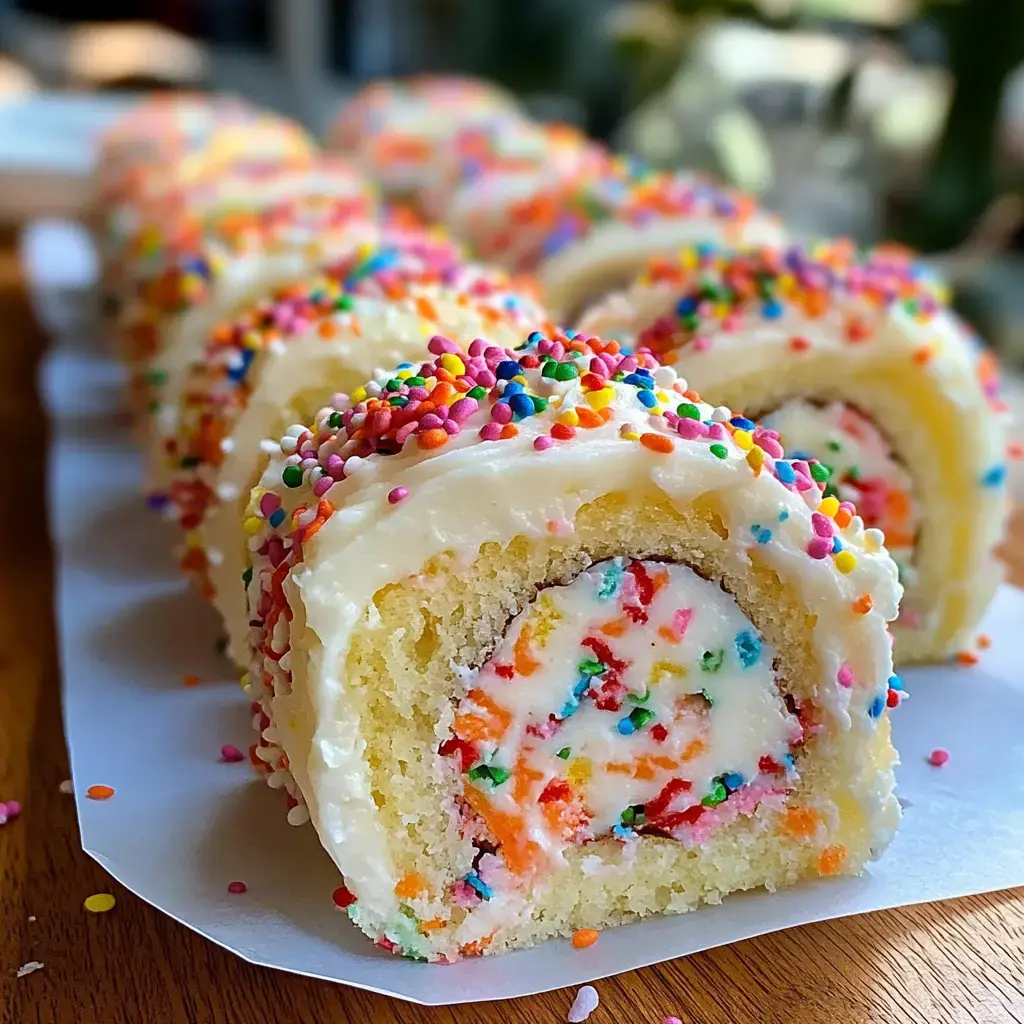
[{"x": 635, "y": 697}]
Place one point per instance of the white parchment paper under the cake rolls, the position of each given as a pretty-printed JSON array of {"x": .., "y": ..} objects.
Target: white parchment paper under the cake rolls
[{"x": 183, "y": 825}]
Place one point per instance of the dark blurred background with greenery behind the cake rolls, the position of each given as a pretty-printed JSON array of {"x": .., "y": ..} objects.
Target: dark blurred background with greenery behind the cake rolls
[{"x": 879, "y": 119}]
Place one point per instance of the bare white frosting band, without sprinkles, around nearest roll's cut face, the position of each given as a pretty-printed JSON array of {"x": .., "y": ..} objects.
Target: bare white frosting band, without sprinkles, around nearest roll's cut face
[{"x": 470, "y": 494}]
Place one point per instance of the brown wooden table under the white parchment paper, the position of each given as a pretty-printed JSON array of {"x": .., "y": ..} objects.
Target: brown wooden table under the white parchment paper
[{"x": 959, "y": 961}]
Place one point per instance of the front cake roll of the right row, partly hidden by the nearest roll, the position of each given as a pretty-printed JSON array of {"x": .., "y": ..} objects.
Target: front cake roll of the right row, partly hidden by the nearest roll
[{"x": 856, "y": 360}]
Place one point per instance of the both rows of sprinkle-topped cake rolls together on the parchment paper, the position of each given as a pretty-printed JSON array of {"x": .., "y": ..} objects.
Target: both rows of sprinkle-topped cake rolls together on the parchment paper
[{"x": 526, "y": 621}]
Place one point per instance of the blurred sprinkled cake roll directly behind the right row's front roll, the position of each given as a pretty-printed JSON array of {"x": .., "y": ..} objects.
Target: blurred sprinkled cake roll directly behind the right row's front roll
[{"x": 591, "y": 234}]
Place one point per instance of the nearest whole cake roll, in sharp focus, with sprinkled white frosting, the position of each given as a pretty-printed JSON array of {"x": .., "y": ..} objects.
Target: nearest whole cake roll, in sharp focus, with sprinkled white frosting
[{"x": 541, "y": 642}]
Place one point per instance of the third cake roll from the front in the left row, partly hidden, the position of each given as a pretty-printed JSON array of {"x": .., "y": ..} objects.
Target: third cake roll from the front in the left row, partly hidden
[{"x": 238, "y": 260}]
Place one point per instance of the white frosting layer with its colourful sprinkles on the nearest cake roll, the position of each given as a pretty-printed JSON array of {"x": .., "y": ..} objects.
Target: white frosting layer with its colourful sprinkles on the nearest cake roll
[{"x": 363, "y": 499}]
